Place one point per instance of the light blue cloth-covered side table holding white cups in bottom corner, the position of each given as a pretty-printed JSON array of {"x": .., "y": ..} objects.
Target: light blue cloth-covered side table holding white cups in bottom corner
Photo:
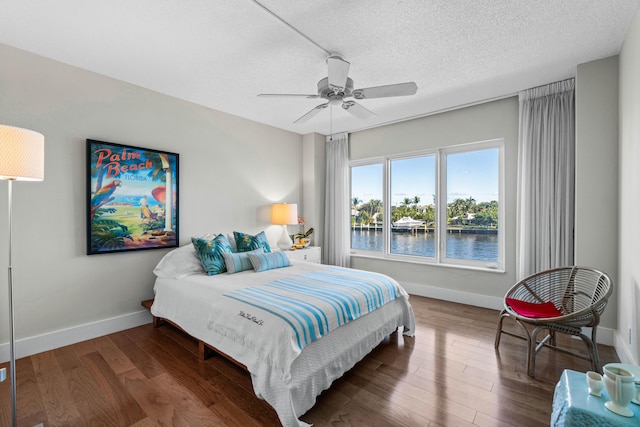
[{"x": 574, "y": 406}]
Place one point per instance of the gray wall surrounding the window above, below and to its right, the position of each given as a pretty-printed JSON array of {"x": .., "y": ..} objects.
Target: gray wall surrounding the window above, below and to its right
[{"x": 498, "y": 119}]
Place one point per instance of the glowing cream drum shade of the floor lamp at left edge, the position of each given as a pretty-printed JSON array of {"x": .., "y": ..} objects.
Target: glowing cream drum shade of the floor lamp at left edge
[{"x": 21, "y": 154}]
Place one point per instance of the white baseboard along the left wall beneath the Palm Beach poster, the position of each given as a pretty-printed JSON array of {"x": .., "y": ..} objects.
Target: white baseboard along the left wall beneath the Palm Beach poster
[{"x": 33, "y": 345}]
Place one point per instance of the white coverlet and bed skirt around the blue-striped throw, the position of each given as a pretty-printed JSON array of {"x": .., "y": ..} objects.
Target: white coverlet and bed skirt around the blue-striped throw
[{"x": 193, "y": 303}]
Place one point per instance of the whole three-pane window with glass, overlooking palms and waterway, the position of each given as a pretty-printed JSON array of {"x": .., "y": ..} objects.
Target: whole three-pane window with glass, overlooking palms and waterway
[{"x": 438, "y": 206}]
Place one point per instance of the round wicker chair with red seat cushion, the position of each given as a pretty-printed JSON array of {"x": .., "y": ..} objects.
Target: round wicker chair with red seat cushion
[{"x": 557, "y": 300}]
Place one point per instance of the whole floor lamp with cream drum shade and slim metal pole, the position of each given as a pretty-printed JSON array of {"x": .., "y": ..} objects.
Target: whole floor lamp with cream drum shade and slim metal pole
[{"x": 21, "y": 159}]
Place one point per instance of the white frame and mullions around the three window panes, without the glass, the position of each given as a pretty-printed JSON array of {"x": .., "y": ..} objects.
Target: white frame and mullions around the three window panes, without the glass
[{"x": 440, "y": 257}]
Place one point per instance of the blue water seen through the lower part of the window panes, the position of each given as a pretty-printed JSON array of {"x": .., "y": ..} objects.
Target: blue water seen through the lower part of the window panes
[{"x": 481, "y": 247}]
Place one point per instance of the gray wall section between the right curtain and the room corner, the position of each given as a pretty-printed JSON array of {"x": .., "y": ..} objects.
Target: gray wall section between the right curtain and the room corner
[{"x": 596, "y": 228}]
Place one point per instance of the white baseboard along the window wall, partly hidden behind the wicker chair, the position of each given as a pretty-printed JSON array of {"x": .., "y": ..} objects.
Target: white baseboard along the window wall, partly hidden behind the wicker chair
[{"x": 605, "y": 335}]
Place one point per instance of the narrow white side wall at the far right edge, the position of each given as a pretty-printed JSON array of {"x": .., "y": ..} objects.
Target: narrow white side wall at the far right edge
[{"x": 628, "y": 338}]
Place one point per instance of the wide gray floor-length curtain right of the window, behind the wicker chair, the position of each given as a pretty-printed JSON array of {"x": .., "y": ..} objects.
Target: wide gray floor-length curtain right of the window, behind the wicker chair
[{"x": 546, "y": 178}]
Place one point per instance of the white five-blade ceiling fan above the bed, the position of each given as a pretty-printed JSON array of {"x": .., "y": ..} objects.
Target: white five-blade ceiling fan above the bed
[{"x": 337, "y": 86}]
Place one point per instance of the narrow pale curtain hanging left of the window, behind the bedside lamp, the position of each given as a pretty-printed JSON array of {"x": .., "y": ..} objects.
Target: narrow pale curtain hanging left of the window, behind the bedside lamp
[{"x": 337, "y": 227}]
